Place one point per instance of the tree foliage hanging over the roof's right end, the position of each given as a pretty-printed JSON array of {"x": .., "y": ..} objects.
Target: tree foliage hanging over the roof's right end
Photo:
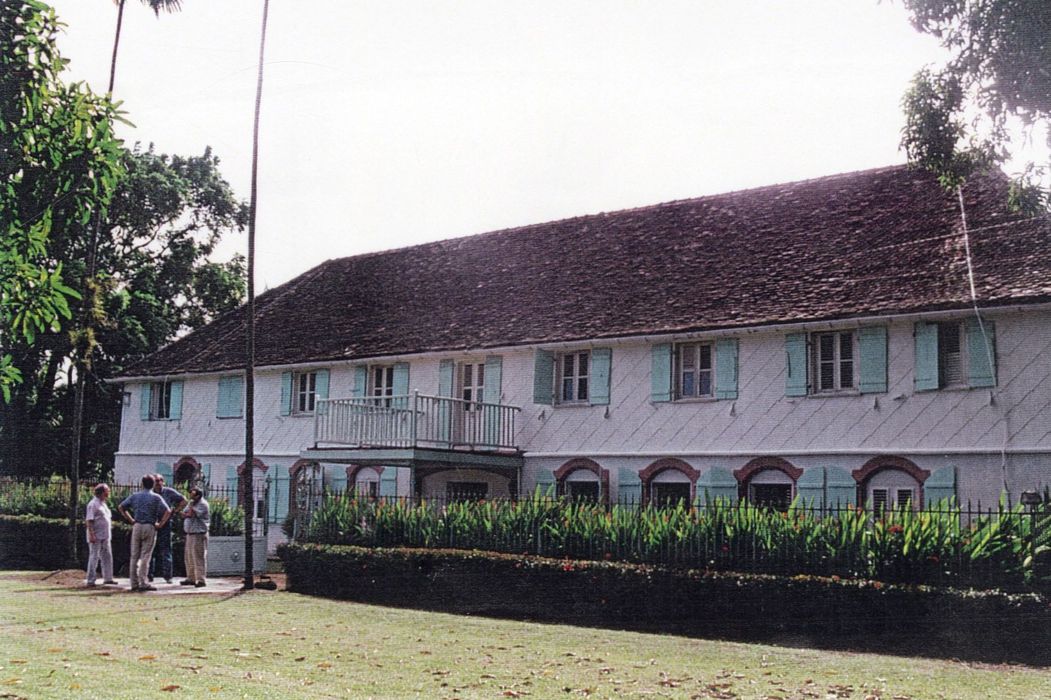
[{"x": 960, "y": 118}]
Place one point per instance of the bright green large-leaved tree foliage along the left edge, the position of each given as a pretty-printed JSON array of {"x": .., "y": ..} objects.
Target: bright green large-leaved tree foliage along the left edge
[{"x": 59, "y": 161}]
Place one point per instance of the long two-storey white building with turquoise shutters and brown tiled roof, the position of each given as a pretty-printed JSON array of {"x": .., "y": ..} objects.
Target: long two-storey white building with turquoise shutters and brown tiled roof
[{"x": 816, "y": 340}]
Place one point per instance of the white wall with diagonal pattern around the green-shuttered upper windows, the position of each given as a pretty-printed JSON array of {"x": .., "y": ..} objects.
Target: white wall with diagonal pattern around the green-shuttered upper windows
[{"x": 963, "y": 428}]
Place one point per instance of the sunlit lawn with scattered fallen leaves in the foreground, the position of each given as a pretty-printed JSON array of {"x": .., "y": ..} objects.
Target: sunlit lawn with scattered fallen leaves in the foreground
[{"x": 59, "y": 643}]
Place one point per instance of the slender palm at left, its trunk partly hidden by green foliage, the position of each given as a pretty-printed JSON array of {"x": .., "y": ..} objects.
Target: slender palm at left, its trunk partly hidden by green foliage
[{"x": 83, "y": 360}]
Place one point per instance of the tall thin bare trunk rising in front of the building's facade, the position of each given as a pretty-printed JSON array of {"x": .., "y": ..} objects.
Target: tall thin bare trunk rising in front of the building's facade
[{"x": 250, "y": 500}]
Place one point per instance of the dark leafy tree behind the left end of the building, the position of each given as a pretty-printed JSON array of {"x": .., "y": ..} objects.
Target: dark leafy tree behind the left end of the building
[{"x": 156, "y": 280}]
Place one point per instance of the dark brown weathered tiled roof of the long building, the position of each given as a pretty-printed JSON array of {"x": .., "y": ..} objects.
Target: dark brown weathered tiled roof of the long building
[{"x": 877, "y": 242}]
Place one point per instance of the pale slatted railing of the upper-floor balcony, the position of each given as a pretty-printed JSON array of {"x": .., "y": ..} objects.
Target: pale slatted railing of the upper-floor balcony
[{"x": 416, "y": 421}]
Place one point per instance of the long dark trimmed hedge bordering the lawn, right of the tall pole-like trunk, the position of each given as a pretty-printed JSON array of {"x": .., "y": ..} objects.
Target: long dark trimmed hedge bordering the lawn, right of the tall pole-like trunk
[{"x": 820, "y": 611}]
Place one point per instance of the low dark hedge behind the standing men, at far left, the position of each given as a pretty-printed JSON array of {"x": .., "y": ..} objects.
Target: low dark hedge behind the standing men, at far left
[{"x": 31, "y": 542}]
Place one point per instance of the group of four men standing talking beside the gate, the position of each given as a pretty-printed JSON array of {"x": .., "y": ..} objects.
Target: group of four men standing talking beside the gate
[{"x": 150, "y": 512}]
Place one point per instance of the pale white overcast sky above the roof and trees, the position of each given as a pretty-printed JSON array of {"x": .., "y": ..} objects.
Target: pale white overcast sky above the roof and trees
[{"x": 387, "y": 125}]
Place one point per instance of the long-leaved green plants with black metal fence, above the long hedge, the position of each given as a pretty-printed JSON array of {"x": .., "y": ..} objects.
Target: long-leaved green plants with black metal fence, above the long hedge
[{"x": 943, "y": 545}]
